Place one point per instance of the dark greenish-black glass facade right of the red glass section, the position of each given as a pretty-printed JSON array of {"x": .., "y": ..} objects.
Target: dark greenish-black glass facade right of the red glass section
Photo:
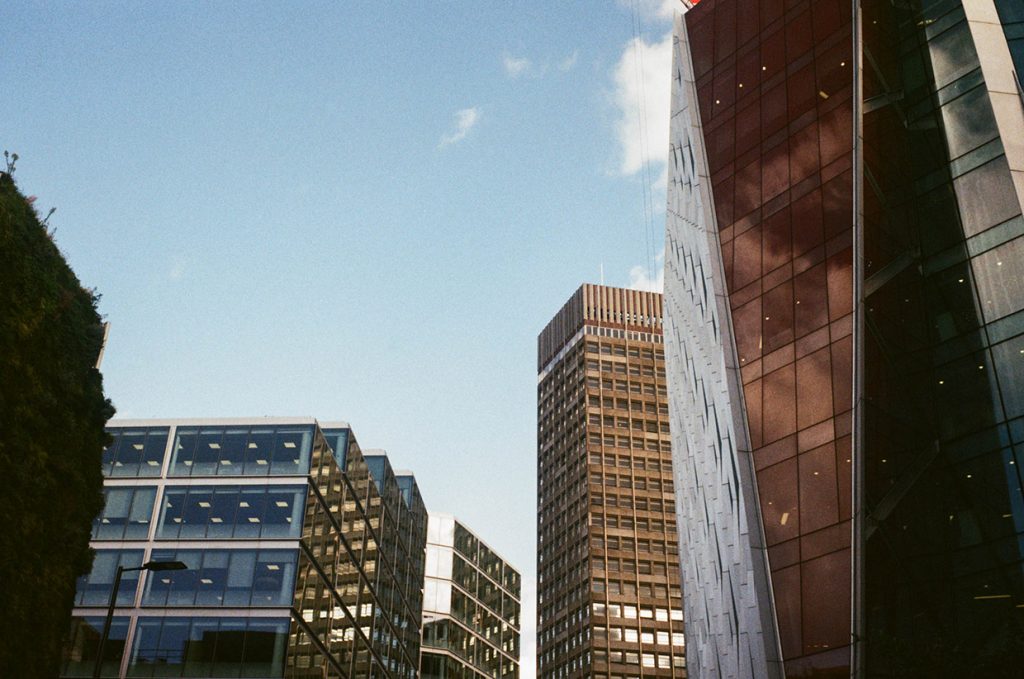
[{"x": 944, "y": 354}]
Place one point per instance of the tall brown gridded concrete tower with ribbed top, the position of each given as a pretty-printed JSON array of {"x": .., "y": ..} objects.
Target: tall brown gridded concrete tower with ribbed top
[{"x": 609, "y": 599}]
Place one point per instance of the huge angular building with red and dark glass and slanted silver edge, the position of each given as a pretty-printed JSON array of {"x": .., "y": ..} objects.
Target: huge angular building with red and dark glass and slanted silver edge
[{"x": 844, "y": 319}]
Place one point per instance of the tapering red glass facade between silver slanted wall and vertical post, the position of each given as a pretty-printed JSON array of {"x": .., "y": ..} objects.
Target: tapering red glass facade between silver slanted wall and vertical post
[{"x": 775, "y": 86}]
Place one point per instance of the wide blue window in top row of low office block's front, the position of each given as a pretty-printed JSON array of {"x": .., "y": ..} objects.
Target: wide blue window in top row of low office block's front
[{"x": 241, "y": 451}]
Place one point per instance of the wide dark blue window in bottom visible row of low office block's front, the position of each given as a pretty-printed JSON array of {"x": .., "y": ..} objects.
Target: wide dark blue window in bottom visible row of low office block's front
[{"x": 209, "y": 647}]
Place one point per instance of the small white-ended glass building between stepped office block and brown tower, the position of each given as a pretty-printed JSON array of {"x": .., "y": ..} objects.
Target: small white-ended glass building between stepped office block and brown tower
[{"x": 472, "y": 607}]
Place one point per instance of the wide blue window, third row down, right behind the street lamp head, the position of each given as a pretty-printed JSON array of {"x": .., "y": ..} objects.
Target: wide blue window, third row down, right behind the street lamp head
[{"x": 224, "y": 578}]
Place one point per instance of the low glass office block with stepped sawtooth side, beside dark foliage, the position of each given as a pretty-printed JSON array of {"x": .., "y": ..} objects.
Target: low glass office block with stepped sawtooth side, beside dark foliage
[{"x": 292, "y": 541}]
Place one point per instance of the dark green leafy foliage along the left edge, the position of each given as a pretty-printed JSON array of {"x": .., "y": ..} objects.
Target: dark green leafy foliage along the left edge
[{"x": 53, "y": 413}]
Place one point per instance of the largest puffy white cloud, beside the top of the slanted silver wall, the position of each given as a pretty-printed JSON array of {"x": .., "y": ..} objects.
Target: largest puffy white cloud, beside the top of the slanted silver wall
[{"x": 643, "y": 95}]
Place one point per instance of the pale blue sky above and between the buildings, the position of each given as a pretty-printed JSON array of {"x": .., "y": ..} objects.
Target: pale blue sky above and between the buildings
[{"x": 362, "y": 214}]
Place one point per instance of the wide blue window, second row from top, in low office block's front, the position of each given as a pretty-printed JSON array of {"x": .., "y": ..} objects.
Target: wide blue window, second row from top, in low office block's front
[{"x": 232, "y": 512}]
